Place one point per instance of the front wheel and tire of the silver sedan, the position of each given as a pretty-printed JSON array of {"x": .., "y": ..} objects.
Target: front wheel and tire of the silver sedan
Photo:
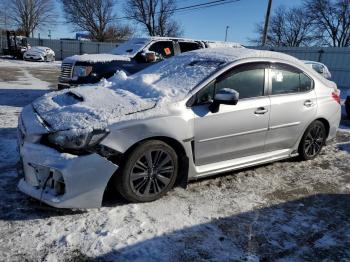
[{"x": 141, "y": 181}]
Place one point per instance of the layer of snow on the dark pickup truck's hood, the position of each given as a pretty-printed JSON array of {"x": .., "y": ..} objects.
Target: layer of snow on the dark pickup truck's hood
[{"x": 94, "y": 58}]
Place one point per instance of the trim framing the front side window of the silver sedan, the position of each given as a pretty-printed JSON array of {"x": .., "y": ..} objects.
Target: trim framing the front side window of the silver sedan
[{"x": 192, "y": 101}]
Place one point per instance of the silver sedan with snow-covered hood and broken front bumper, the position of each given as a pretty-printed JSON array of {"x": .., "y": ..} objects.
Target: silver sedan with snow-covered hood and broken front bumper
[{"x": 194, "y": 115}]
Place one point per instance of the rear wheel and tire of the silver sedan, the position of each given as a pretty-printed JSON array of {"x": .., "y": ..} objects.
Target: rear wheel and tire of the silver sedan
[{"x": 312, "y": 141}]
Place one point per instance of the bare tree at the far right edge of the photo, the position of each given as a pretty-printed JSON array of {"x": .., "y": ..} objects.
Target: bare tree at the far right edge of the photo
[{"x": 331, "y": 20}]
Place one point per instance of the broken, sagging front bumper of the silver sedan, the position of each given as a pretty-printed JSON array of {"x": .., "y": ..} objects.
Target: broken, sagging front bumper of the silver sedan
[{"x": 64, "y": 180}]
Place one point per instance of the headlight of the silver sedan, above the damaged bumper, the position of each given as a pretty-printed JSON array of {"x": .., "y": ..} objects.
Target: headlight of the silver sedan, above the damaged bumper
[{"x": 77, "y": 139}]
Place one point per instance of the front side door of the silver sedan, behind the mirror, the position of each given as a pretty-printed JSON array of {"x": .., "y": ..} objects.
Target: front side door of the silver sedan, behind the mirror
[{"x": 235, "y": 130}]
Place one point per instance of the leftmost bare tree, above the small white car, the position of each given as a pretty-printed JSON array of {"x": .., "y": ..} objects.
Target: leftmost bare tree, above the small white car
[{"x": 28, "y": 15}]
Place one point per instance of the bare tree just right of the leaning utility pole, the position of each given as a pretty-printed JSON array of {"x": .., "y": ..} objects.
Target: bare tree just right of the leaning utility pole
[{"x": 288, "y": 27}]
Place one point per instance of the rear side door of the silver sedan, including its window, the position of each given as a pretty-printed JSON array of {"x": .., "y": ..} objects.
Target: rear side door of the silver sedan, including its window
[{"x": 293, "y": 106}]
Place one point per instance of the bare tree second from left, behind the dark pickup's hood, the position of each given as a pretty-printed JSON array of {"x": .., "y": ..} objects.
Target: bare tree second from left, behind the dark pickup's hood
[{"x": 94, "y": 16}]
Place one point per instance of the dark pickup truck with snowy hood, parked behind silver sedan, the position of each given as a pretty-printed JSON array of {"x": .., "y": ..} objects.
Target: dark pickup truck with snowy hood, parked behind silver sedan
[{"x": 130, "y": 56}]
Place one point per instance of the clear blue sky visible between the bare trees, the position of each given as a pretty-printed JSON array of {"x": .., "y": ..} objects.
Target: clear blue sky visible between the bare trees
[{"x": 209, "y": 23}]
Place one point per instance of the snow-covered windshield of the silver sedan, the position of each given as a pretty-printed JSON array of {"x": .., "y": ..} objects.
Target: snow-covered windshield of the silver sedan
[{"x": 173, "y": 78}]
